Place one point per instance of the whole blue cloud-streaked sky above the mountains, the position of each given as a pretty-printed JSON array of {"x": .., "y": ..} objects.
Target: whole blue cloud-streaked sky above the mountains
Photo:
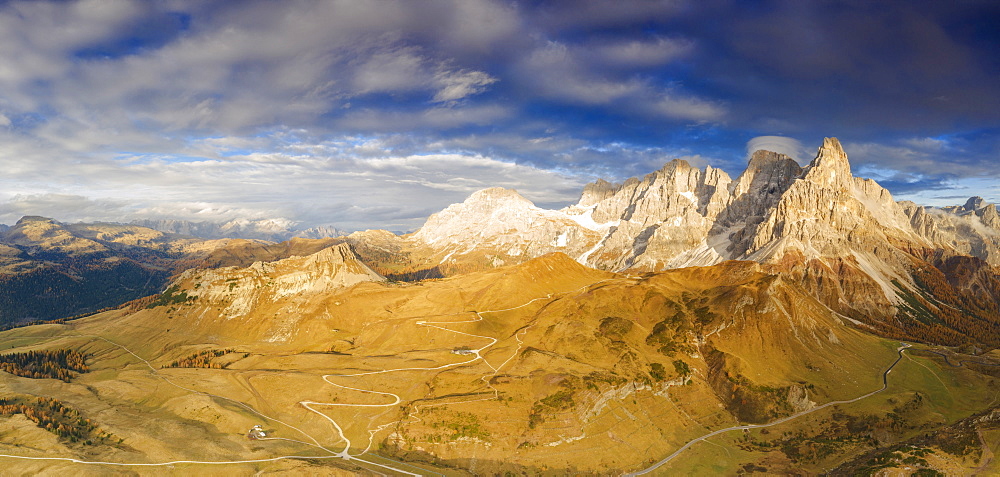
[{"x": 376, "y": 114}]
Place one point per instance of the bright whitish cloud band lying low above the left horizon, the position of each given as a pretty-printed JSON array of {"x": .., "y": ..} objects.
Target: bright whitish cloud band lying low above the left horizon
[{"x": 313, "y": 184}]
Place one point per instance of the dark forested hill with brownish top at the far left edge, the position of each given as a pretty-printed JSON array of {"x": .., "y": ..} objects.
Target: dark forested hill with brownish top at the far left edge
[{"x": 52, "y": 270}]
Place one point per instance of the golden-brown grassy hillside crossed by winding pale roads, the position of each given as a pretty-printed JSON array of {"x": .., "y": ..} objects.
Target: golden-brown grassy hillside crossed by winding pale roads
[{"x": 547, "y": 366}]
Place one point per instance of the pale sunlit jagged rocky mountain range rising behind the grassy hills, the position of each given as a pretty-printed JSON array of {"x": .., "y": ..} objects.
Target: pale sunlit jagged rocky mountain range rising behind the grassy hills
[{"x": 682, "y": 216}]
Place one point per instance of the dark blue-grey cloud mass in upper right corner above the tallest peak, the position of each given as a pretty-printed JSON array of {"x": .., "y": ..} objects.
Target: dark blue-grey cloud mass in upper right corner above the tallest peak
[{"x": 858, "y": 67}]
